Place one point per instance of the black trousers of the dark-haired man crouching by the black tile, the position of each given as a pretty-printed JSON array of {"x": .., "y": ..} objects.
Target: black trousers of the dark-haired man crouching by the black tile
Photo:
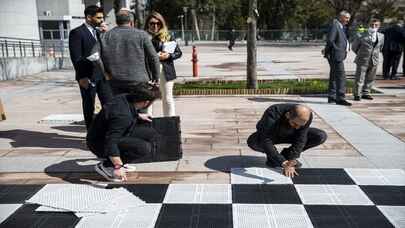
[{"x": 135, "y": 148}]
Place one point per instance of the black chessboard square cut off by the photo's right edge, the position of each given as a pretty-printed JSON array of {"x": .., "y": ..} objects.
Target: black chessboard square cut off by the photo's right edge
[{"x": 385, "y": 195}]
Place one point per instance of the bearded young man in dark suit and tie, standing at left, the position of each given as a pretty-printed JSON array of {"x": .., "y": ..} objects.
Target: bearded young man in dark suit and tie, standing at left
[{"x": 91, "y": 79}]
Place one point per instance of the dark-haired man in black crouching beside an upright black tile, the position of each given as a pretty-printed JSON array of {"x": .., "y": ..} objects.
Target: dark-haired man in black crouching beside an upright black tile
[{"x": 120, "y": 135}]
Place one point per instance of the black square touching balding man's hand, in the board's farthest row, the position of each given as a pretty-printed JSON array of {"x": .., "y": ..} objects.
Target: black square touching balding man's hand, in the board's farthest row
[{"x": 322, "y": 176}]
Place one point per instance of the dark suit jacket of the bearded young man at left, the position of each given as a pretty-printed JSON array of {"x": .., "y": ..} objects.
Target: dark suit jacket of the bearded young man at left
[{"x": 81, "y": 43}]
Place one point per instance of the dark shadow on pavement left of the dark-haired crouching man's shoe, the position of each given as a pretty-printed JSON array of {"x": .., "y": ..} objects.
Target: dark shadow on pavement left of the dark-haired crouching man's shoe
[{"x": 77, "y": 171}]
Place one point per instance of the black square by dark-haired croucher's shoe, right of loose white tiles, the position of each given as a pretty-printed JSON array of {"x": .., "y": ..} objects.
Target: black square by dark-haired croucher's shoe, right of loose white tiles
[{"x": 150, "y": 193}]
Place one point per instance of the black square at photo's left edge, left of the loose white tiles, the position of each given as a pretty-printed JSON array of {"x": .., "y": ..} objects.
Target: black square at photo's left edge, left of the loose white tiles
[{"x": 17, "y": 194}]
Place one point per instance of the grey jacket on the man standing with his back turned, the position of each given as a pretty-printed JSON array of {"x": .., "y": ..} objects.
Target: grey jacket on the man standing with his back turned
[{"x": 125, "y": 53}]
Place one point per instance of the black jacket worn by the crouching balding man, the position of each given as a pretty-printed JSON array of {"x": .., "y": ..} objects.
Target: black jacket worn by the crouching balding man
[{"x": 274, "y": 126}]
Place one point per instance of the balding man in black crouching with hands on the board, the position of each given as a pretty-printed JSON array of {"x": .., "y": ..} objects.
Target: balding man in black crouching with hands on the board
[{"x": 285, "y": 123}]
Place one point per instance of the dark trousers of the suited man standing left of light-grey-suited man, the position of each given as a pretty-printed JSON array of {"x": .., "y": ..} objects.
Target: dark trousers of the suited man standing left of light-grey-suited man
[{"x": 337, "y": 80}]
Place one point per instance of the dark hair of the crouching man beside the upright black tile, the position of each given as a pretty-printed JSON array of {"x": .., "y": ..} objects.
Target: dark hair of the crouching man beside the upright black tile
[{"x": 143, "y": 92}]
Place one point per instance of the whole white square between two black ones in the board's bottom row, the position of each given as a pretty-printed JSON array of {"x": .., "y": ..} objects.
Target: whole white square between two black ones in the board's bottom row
[{"x": 270, "y": 215}]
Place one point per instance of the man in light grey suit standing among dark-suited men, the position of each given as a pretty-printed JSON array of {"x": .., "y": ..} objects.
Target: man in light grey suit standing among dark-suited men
[{"x": 367, "y": 48}]
